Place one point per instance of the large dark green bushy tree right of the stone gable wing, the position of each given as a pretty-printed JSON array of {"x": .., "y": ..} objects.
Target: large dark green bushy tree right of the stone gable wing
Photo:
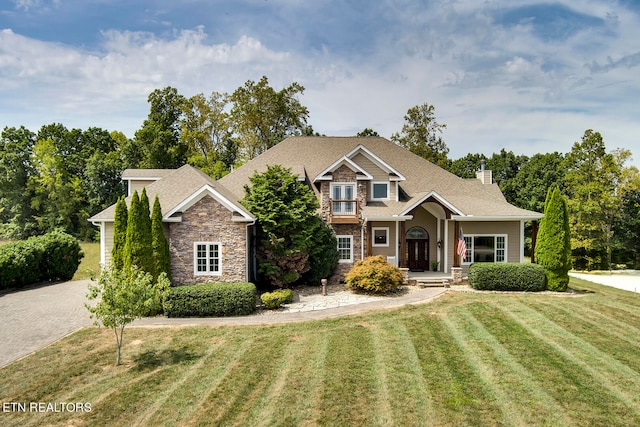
[{"x": 293, "y": 244}]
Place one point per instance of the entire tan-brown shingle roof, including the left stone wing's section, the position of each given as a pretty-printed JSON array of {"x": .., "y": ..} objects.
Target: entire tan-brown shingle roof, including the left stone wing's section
[{"x": 309, "y": 156}]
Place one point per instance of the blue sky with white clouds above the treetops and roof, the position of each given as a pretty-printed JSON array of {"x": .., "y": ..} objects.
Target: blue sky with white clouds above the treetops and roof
[{"x": 522, "y": 75}]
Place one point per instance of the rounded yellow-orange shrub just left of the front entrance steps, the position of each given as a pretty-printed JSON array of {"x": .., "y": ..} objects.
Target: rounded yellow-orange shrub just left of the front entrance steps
[{"x": 374, "y": 274}]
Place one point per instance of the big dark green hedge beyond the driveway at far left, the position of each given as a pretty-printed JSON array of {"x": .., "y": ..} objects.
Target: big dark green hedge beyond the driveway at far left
[{"x": 53, "y": 256}]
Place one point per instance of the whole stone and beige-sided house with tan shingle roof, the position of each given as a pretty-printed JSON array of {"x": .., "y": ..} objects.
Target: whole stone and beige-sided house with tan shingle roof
[{"x": 379, "y": 198}]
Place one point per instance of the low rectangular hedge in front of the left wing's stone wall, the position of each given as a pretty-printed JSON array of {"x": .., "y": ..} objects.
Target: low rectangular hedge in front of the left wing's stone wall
[{"x": 210, "y": 300}]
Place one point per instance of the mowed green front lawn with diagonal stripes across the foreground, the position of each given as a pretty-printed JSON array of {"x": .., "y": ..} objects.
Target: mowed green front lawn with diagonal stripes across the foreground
[{"x": 463, "y": 359}]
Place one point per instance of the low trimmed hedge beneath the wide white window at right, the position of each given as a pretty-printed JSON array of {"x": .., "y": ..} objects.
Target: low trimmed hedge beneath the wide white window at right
[{"x": 507, "y": 277}]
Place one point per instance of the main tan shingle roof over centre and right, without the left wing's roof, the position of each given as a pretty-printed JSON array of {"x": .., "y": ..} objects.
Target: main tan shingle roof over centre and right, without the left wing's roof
[{"x": 471, "y": 197}]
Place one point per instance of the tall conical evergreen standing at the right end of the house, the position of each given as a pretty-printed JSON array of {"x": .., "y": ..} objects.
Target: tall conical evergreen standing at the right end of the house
[{"x": 553, "y": 248}]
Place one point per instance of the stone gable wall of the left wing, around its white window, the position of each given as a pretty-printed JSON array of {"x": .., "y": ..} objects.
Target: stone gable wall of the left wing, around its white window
[{"x": 208, "y": 221}]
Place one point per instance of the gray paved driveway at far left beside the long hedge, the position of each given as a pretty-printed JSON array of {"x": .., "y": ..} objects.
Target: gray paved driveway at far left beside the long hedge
[{"x": 35, "y": 317}]
